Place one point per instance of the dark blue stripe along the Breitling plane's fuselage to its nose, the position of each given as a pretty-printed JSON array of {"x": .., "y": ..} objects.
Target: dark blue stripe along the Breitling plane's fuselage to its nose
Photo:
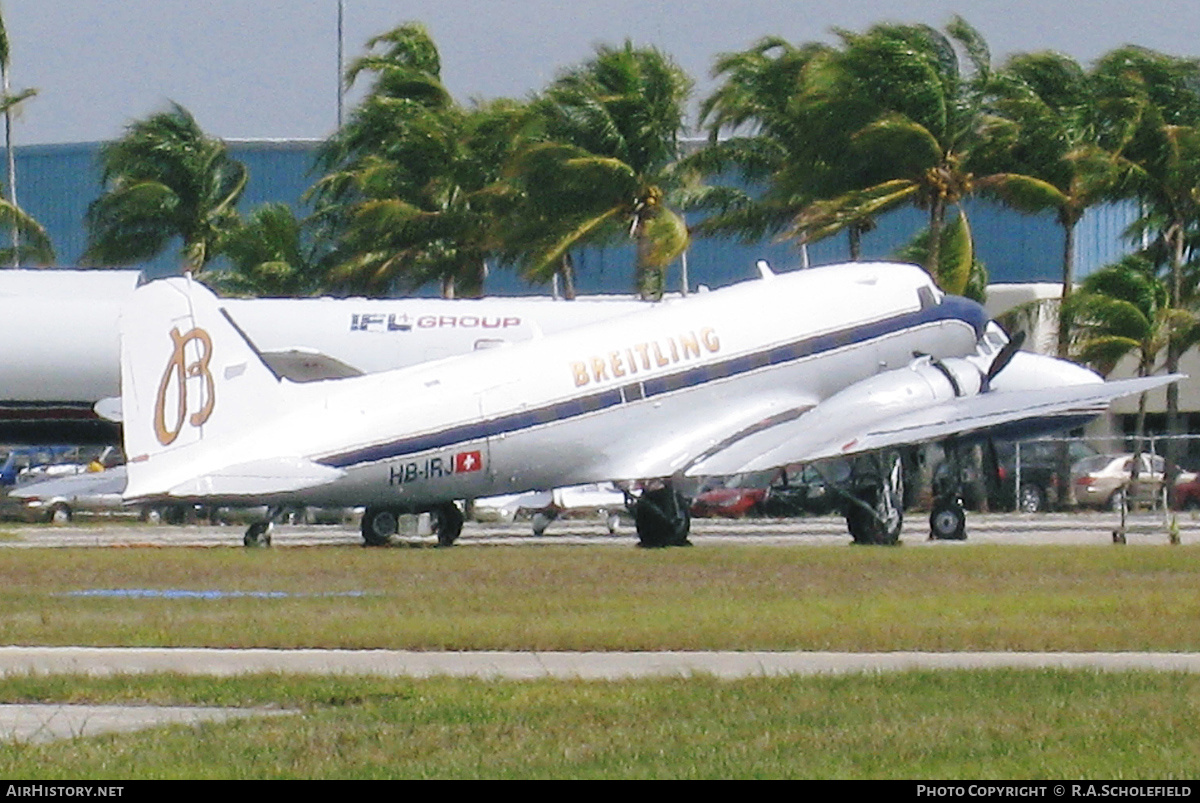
[{"x": 951, "y": 309}]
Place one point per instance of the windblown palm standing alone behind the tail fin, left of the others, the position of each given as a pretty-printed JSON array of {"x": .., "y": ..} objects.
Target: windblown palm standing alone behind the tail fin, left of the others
[{"x": 164, "y": 179}]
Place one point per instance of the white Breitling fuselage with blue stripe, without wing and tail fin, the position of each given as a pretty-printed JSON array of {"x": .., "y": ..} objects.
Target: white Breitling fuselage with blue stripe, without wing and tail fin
[{"x": 633, "y": 398}]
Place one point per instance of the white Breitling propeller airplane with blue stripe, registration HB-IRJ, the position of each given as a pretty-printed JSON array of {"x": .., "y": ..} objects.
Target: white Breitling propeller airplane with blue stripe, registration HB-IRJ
[{"x": 842, "y": 362}]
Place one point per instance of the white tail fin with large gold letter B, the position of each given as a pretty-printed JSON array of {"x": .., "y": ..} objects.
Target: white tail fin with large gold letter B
[{"x": 193, "y": 385}]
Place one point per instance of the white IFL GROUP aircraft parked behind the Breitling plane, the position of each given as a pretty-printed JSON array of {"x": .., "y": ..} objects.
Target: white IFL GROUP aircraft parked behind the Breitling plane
[{"x": 59, "y": 347}]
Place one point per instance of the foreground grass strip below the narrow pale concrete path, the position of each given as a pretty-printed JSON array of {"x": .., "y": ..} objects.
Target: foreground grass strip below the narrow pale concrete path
[{"x": 915, "y": 726}]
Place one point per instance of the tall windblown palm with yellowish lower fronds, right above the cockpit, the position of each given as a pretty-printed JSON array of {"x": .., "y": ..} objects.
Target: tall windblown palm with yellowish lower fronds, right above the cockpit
[{"x": 911, "y": 116}]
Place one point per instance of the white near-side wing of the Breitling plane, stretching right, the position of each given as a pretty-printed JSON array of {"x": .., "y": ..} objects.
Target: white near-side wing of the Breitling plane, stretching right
[{"x": 835, "y": 430}]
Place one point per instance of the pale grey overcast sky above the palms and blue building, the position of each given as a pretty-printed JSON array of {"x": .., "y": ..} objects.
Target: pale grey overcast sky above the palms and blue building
[{"x": 254, "y": 69}]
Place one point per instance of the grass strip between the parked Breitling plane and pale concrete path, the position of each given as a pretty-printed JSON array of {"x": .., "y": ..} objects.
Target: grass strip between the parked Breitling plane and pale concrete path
[{"x": 1029, "y": 598}]
